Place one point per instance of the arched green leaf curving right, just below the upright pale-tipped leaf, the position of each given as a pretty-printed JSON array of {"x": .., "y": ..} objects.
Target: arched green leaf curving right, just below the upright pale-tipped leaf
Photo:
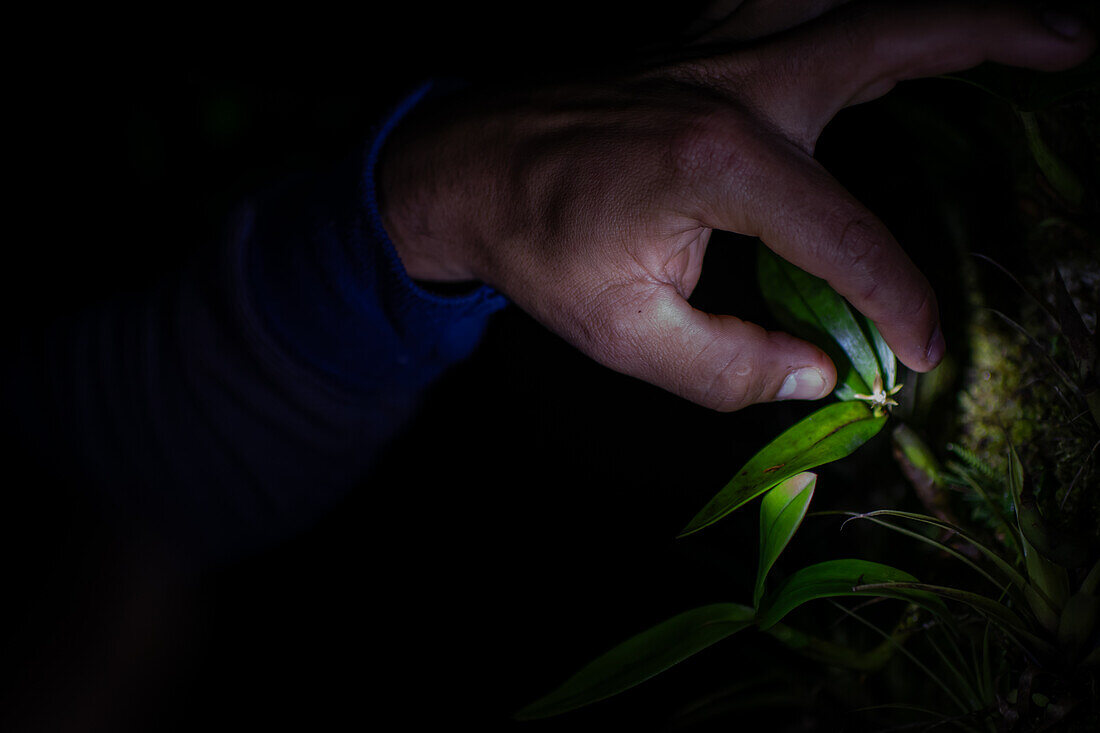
[{"x": 830, "y": 579}]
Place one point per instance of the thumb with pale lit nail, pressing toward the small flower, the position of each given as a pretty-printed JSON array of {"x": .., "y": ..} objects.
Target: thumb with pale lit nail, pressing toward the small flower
[{"x": 717, "y": 362}]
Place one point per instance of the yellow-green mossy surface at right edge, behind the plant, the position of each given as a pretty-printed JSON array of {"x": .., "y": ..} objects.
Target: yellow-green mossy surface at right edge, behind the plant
[{"x": 1022, "y": 390}]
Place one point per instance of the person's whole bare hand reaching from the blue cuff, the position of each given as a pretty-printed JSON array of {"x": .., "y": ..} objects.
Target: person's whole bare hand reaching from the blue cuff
[{"x": 590, "y": 204}]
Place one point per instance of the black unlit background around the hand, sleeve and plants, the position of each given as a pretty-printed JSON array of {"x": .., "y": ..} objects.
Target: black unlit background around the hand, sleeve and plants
[{"x": 524, "y": 523}]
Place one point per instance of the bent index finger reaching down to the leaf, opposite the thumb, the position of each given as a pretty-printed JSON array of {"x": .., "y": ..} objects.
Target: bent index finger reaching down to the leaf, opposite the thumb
[{"x": 775, "y": 191}]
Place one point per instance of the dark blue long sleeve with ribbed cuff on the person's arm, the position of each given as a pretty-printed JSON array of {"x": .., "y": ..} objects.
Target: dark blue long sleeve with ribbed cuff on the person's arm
[{"x": 235, "y": 404}]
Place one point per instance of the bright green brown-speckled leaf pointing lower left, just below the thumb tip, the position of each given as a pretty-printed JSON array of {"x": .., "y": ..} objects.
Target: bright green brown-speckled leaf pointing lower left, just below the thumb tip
[{"x": 830, "y": 434}]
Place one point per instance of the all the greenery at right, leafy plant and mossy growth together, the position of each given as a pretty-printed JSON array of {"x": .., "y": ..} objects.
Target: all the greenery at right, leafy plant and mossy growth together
[{"x": 1003, "y": 630}]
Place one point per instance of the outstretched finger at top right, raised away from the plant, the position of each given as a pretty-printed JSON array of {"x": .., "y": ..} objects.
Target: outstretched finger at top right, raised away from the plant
[{"x": 860, "y": 52}]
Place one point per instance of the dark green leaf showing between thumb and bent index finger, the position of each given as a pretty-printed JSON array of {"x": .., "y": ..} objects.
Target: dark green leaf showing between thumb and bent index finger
[{"x": 788, "y": 304}]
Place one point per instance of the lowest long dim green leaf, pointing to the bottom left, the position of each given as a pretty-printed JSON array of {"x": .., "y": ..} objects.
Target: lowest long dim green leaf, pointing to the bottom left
[{"x": 643, "y": 657}]
